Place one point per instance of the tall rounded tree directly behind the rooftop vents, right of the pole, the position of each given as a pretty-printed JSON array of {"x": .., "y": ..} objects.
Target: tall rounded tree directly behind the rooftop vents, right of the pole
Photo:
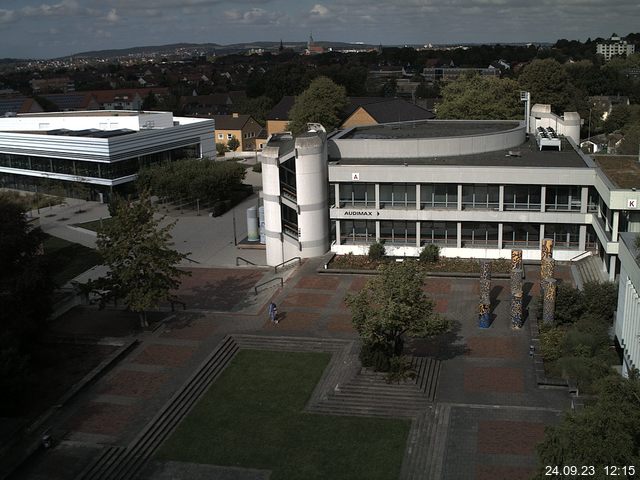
[{"x": 549, "y": 83}]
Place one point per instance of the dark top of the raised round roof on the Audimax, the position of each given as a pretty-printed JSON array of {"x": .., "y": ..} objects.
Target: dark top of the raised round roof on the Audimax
[{"x": 431, "y": 129}]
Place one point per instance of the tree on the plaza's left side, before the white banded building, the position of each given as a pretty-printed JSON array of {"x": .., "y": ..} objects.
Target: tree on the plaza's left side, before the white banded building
[{"x": 142, "y": 266}]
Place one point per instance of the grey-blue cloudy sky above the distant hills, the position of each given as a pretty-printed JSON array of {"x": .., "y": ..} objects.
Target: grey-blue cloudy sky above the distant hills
[{"x": 54, "y": 28}]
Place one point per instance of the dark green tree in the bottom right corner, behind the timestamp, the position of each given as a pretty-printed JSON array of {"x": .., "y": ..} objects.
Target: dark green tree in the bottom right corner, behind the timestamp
[{"x": 602, "y": 434}]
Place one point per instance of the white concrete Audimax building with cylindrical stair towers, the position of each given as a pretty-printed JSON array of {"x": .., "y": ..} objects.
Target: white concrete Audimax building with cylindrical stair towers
[{"x": 475, "y": 188}]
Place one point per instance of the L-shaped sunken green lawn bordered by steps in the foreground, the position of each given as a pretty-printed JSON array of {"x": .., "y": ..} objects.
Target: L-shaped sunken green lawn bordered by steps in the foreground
[{"x": 252, "y": 417}]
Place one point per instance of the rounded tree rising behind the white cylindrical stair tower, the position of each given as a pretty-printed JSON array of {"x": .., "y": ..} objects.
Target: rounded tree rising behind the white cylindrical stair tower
[{"x": 321, "y": 103}]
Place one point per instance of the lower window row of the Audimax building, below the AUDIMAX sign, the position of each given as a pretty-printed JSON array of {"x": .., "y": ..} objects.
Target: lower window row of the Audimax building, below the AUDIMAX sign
[{"x": 400, "y": 232}]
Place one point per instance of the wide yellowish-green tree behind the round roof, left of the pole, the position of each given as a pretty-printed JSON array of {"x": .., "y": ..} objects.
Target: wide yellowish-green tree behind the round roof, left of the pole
[{"x": 482, "y": 98}]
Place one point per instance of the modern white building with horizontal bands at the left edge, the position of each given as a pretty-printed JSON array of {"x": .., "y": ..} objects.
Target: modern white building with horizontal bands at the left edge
[{"x": 101, "y": 149}]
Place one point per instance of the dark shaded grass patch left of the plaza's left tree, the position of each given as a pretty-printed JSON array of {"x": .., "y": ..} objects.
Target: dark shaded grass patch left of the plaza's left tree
[{"x": 68, "y": 260}]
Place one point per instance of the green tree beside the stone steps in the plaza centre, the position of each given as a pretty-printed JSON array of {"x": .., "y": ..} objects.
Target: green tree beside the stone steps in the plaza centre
[{"x": 392, "y": 305}]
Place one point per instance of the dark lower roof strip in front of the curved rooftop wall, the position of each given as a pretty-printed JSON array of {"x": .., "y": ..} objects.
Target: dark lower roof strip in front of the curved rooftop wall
[{"x": 525, "y": 155}]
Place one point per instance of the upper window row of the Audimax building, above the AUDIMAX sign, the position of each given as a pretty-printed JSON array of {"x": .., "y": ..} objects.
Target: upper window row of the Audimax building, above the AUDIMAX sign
[{"x": 474, "y": 196}]
